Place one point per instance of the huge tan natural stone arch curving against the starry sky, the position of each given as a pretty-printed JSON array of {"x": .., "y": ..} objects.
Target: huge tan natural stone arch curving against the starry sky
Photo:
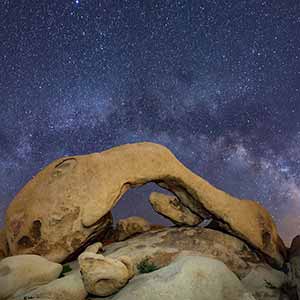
[{"x": 69, "y": 201}]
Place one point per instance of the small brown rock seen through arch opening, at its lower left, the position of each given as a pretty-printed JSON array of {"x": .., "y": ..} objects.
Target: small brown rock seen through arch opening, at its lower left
[{"x": 128, "y": 227}]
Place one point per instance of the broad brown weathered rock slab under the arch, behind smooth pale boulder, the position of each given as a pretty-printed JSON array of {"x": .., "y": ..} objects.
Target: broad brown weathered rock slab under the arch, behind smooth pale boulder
[{"x": 162, "y": 247}]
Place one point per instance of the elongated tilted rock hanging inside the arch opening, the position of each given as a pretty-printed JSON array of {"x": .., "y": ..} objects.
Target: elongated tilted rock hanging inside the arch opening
[{"x": 171, "y": 207}]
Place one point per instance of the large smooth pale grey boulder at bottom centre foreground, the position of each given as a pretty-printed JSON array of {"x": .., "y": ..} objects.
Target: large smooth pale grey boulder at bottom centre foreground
[{"x": 192, "y": 278}]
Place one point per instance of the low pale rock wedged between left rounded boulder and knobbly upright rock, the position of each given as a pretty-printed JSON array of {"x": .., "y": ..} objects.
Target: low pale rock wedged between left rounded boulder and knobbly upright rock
[{"x": 66, "y": 288}]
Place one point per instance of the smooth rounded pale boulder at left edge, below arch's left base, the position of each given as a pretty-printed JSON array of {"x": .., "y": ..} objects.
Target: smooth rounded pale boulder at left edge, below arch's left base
[{"x": 23, "y": 272}]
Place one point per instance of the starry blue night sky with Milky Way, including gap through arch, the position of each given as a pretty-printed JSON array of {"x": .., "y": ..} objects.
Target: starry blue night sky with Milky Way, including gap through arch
[{"x": 218, "y": 82}]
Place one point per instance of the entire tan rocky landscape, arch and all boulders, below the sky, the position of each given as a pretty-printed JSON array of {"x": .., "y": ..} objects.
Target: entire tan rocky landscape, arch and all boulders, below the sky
[{"x": 60, "y": 241}]
